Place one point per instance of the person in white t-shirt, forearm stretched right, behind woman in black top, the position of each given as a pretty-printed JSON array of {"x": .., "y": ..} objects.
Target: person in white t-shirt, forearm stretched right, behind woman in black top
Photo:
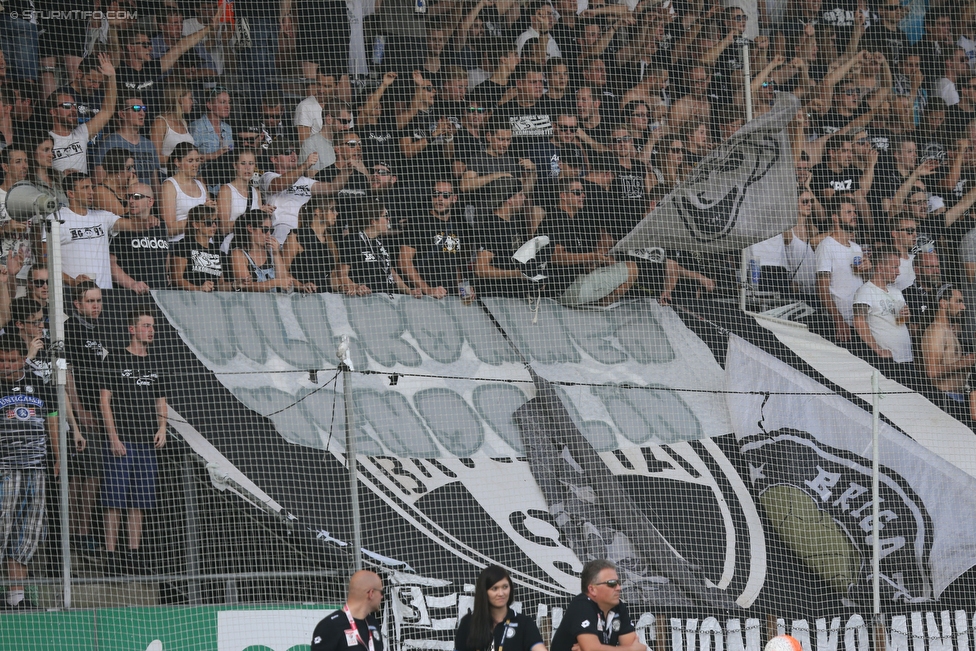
[{"x": 288, "y": 188}]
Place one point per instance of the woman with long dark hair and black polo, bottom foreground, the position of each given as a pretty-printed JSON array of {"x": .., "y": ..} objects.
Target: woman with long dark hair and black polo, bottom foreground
[{"x": 492, "y": 625}]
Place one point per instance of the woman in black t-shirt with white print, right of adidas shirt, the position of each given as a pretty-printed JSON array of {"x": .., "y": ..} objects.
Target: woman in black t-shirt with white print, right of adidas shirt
[{"x": 195, "y": 262}]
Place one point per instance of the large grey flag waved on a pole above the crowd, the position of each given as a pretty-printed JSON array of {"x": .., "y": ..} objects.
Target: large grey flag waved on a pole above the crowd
[{"x": 736, "y": 196}]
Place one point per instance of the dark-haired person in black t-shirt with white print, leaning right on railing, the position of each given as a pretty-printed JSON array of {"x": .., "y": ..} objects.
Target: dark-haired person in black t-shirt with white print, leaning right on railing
[{"x": 366, "y": 266}]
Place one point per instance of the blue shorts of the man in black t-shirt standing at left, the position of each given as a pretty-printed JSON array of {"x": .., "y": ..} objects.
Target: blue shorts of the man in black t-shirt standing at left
[{"x": 129, "y": 482}]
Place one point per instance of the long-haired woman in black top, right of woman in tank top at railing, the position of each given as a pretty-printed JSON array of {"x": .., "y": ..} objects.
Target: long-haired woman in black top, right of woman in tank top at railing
[{"x": 310, "y": 251}]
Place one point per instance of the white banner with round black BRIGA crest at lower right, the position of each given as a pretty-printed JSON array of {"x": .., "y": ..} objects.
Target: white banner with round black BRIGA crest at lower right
[{"x": 808, "y": 455}]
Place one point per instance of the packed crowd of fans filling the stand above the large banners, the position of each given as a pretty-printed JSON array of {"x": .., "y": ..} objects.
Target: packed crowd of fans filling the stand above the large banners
[{"x": 424, "y": 147}]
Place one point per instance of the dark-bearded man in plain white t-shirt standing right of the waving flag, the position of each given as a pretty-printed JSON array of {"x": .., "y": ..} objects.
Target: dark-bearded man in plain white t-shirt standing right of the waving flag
[{"x": 840, "y": 263}]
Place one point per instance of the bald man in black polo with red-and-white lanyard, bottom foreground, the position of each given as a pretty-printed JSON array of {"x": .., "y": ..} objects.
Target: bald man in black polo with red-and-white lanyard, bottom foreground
[{"x": 354, "y": 627}]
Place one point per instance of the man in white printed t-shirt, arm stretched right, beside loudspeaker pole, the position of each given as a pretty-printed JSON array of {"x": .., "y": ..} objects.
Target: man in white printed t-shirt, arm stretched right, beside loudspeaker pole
[{"x": 85, "y": 234}]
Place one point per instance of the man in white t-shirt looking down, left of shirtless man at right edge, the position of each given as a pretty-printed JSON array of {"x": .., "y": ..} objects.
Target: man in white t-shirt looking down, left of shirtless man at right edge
[{"x": 881, "y": 318}]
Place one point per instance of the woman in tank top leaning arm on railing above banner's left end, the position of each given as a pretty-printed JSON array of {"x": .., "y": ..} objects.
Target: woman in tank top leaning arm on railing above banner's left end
[{"x": 255, "y": 260}]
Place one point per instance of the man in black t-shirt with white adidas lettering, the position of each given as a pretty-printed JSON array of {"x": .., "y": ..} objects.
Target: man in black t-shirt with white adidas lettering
[{"x": 139, "y": 259}]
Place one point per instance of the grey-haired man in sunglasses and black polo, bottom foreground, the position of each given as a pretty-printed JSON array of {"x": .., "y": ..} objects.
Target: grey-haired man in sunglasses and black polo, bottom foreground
[{"x": 597, "y": 619}]
